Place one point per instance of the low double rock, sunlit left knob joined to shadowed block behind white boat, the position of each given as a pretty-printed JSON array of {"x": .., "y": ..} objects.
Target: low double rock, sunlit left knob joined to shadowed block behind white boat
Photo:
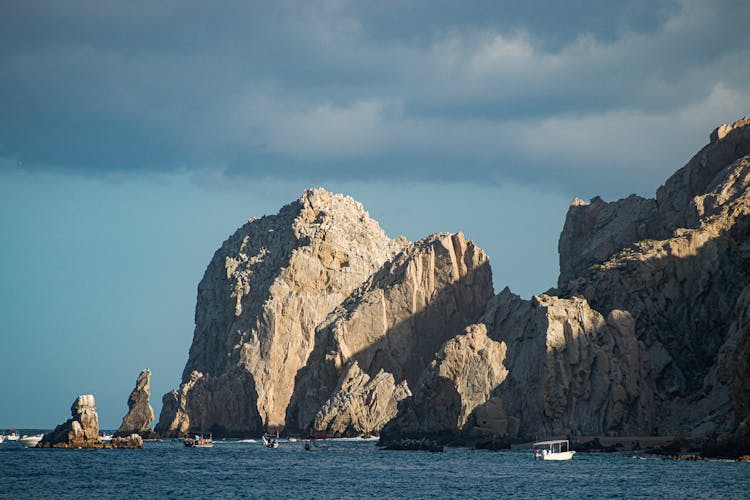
[{"x": 565, "y": 369}]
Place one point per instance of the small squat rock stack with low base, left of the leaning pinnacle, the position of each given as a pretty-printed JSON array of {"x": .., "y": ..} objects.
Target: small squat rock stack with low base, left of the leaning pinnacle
[{"x": 82, "y": 430}]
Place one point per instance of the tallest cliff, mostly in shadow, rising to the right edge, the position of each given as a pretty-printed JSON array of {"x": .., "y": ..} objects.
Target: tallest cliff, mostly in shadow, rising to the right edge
[{"x": 684, "y": 285}]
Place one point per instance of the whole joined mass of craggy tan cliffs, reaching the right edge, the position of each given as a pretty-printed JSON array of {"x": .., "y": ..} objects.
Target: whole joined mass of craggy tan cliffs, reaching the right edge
[{"x": 313, "y": 321}]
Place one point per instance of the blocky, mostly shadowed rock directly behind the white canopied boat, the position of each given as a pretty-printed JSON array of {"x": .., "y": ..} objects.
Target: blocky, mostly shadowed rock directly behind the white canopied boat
[{"x": 570, "y": 369}]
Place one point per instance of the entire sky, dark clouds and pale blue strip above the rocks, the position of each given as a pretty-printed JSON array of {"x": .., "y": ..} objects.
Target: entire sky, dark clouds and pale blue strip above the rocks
[{"x": 136, "y": 136}]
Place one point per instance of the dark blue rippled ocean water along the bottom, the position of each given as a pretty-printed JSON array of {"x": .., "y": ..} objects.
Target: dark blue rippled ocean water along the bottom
[{"x": 352, "y": 469}]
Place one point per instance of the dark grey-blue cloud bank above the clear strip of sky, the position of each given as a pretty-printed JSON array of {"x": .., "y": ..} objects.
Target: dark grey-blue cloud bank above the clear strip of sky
[{"x": 536, "y": 91}]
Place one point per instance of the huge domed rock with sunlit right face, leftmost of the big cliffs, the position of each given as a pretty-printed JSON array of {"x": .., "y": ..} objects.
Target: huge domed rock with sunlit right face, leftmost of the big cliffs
[{"x": 262, "y": 295}]
